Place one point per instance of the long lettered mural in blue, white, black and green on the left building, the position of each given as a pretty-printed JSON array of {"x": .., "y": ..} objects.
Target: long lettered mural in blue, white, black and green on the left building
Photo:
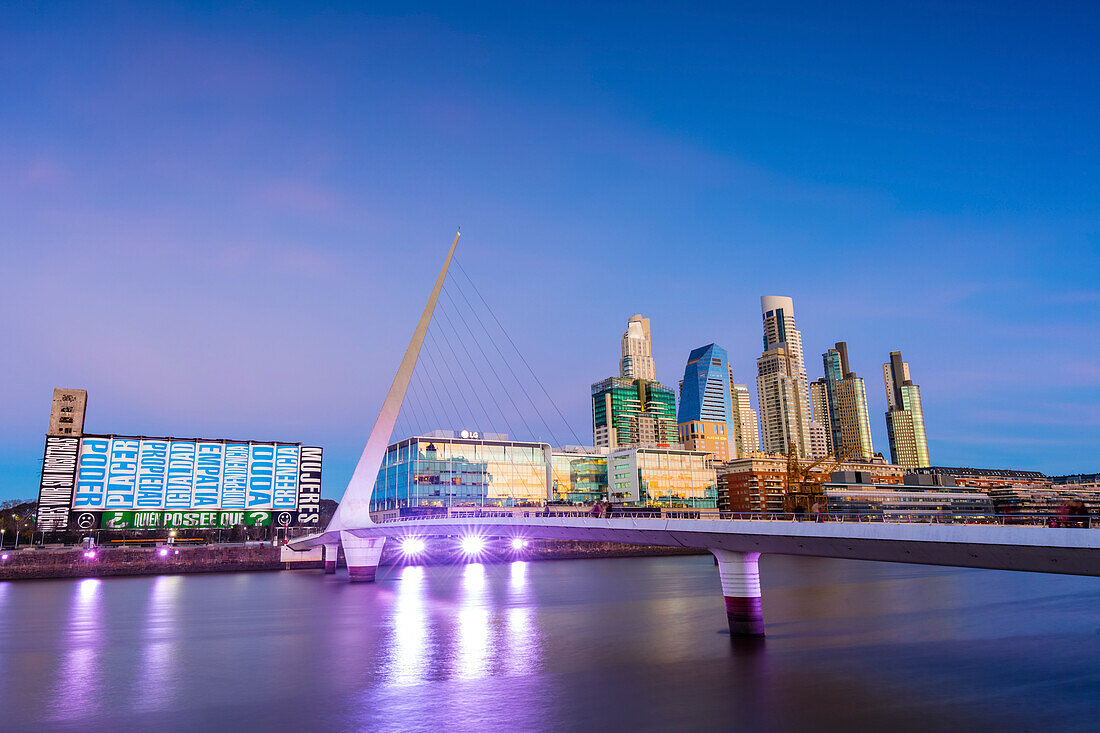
[{"x": 128, "y": 477}]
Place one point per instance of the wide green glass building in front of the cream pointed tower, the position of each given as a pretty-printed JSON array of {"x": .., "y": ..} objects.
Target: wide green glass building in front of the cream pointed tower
[{"x": 633, "y": 412}]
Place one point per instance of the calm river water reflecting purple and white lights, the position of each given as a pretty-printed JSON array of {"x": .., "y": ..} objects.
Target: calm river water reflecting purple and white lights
[{"x": 609, "y": 646}]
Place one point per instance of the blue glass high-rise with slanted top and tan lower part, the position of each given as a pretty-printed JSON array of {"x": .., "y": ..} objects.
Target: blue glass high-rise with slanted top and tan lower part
[{"x": 706, "y": 415}]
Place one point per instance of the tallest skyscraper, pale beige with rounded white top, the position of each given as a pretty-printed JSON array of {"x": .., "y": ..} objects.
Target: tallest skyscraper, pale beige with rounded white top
[{"x": 782, "y": 381}]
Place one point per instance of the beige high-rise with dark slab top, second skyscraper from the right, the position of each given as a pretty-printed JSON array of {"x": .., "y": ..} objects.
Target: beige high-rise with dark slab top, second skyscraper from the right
[{"x": 841, "y": 406}]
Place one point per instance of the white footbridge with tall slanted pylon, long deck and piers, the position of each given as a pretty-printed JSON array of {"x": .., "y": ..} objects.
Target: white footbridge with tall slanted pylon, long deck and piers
[{"x": 736, "y": 544}]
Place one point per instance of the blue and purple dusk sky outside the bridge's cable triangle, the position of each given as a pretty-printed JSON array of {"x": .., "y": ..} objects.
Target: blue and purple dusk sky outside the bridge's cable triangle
[{"x": 224, "y": 221}]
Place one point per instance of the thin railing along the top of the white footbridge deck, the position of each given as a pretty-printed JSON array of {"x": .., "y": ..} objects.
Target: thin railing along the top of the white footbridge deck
[{"x": 888, "y": 517}]
